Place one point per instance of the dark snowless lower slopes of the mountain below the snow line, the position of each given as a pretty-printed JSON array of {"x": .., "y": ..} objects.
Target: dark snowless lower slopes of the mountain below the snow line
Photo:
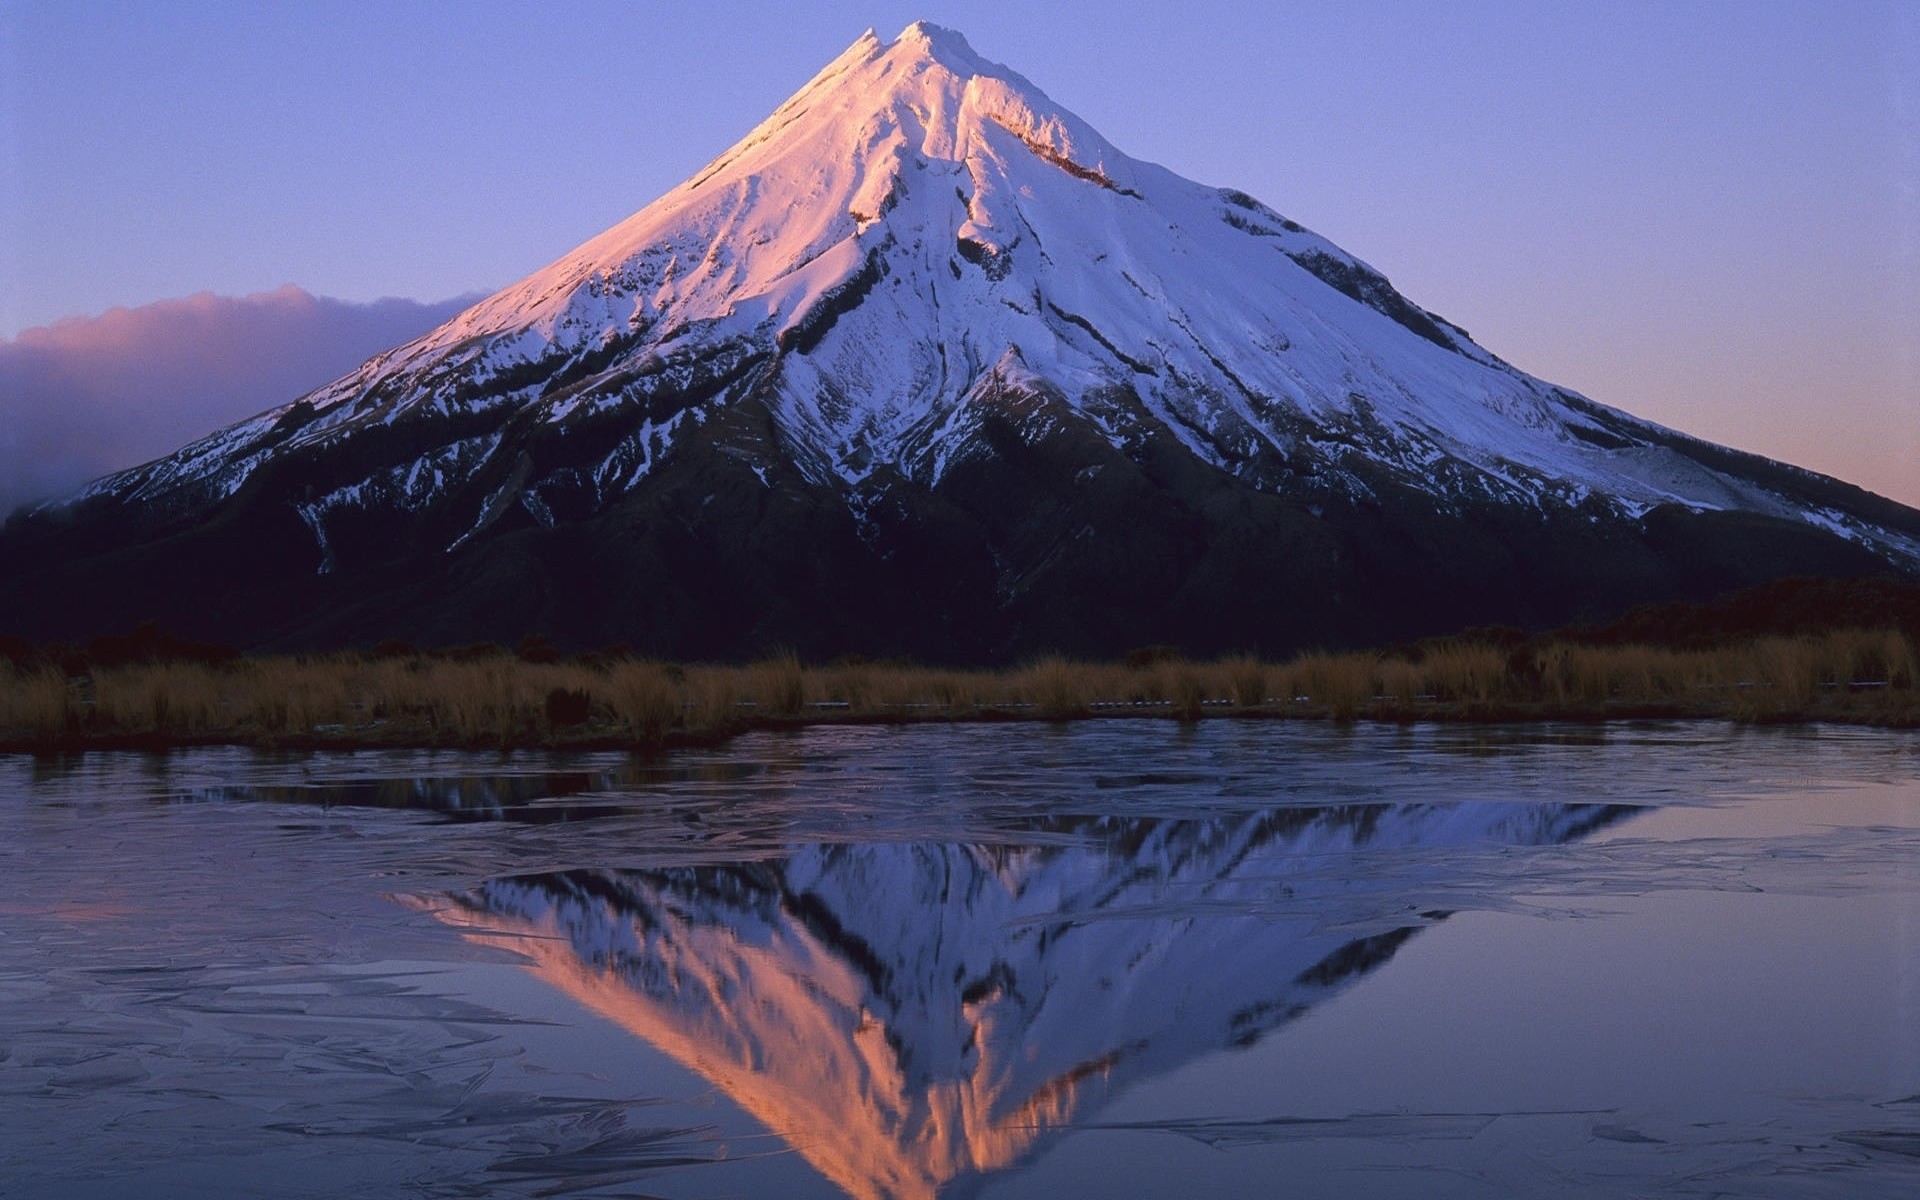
[{"x": 1047, "y": 539}]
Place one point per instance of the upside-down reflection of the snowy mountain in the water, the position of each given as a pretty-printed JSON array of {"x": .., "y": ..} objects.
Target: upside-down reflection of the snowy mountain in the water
[{"x": 917, "y": 1015}]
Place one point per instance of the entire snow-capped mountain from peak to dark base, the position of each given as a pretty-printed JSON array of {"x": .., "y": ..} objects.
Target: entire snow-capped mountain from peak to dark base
[{"x": 926, "y": 366}]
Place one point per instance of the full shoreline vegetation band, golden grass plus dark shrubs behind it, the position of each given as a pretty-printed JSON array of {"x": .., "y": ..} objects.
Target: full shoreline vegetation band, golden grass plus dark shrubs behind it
[{"x": 1788, "y": 652}]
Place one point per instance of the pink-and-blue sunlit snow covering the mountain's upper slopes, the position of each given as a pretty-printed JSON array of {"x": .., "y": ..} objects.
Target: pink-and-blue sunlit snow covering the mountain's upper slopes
[{"x": 919, "y": 224}]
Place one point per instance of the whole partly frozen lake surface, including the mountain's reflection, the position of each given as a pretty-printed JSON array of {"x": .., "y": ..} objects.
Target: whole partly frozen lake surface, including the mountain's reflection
[{"x": 1113, "y": 959}]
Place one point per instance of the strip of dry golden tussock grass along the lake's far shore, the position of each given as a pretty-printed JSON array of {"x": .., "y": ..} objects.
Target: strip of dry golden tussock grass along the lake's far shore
[{"x": 1852, "y": 675}]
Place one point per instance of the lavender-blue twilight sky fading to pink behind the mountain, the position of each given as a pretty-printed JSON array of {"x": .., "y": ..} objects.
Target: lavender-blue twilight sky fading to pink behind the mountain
[{"x": 1706, "y": 214}]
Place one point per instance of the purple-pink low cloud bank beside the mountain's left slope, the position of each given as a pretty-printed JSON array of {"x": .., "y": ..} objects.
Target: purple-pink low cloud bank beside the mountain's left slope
[{"x": 95, "y": 395}]
